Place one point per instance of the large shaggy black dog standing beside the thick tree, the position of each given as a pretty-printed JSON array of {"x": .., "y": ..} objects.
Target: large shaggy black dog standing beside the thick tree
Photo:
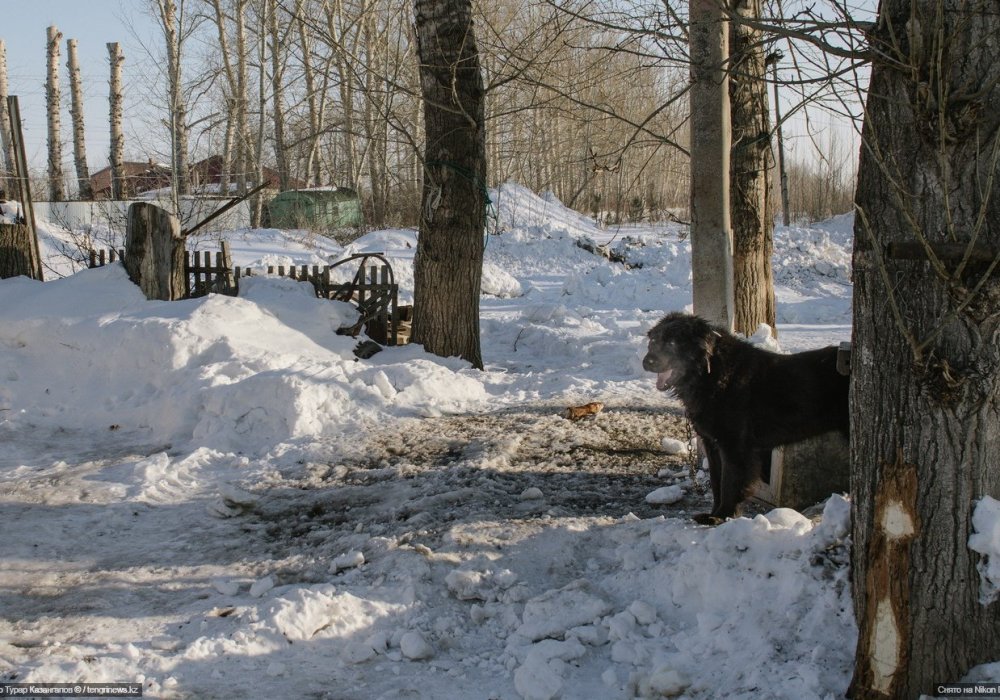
[{"x": 742, "y": 400}]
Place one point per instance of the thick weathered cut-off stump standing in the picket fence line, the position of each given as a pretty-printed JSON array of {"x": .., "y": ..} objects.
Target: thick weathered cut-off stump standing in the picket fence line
[{"x": 154, "y": 252}]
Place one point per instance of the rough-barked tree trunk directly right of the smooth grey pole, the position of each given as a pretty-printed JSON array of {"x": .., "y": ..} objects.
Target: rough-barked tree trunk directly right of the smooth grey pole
[{"x": 750, "y": 166}]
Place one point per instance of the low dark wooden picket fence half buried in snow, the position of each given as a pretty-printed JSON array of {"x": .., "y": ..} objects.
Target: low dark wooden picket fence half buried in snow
[{"x": 372, "y": 289}]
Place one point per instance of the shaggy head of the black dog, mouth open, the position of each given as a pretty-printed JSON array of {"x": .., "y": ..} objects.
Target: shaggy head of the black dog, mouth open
[{"x": 680, "y": 349}]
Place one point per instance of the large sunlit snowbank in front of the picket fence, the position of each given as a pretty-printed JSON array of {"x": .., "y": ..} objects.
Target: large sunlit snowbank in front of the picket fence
[{"x": 218, "y": 372}]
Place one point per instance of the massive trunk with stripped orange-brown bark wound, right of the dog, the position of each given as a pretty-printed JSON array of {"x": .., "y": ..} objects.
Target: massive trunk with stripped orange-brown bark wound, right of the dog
[{"x": 925, "y": 428}]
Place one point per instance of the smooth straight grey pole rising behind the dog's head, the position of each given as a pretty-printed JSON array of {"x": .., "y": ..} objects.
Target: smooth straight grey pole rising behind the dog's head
[{"x": 711, "y": 236}]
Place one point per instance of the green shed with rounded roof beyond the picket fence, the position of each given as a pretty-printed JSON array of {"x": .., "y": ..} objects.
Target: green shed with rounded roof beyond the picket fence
[{"x": 318, "y": 209}]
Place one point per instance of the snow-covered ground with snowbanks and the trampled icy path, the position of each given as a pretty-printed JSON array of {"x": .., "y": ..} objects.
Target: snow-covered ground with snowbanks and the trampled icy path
[{"x": 216, "y": 499}]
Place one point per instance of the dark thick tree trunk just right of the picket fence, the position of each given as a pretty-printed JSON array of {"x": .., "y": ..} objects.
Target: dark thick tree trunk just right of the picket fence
[{"x": 449, "y": 258}]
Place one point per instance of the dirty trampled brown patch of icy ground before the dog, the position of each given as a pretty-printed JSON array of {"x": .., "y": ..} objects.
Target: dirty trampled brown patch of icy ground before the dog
[{"x": 418, "y": 478}]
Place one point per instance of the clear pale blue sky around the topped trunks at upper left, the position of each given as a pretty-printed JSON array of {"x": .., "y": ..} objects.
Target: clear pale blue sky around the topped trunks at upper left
[{"x": 93, "y": 23}]
